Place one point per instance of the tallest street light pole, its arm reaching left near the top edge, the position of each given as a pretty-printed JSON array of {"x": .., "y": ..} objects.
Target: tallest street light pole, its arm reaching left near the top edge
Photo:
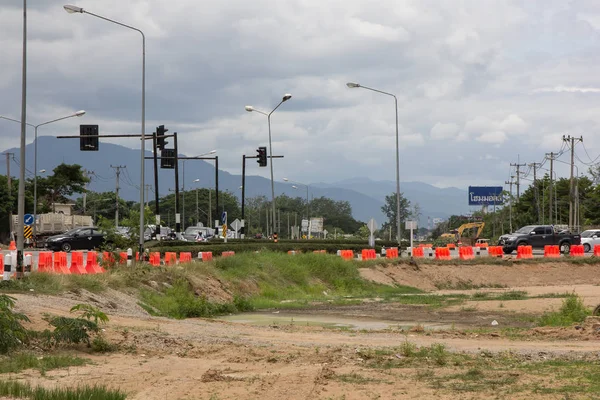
[{"x": 73, "y": 9}]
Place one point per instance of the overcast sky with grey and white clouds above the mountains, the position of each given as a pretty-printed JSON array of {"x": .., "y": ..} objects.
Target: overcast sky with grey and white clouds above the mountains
[{"x": 480, "y": 84}]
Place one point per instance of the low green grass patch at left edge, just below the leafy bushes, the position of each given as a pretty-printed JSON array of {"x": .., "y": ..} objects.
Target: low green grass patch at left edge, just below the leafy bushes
[{"x": 22, "y": 361}]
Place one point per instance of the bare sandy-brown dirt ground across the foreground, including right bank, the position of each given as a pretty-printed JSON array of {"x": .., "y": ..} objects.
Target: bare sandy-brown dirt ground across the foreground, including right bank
[{"x": 160, "y": 359}]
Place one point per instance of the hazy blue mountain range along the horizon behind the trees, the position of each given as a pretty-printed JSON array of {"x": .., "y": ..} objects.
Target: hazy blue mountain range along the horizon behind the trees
[{"x": 366, "y": 196}]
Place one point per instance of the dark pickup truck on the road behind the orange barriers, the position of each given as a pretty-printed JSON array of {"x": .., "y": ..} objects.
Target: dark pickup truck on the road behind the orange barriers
[{"x": 538, "y": 236}]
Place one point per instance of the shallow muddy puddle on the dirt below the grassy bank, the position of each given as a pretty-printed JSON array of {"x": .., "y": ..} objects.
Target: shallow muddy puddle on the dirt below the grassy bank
[{"x": 269, "y": 318}]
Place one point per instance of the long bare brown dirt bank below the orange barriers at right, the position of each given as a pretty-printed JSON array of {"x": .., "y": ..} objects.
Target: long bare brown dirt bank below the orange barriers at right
[{"x": 440, "y": 276}]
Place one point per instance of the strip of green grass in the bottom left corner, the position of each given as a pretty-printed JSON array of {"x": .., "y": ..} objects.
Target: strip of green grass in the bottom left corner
[{"x": 87, "y": 392}]
